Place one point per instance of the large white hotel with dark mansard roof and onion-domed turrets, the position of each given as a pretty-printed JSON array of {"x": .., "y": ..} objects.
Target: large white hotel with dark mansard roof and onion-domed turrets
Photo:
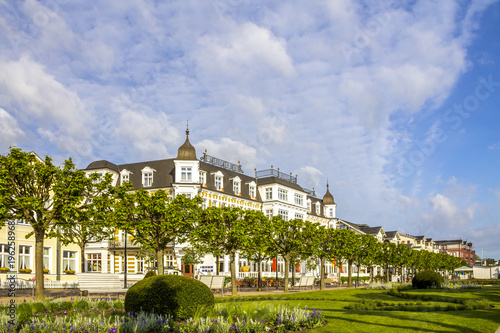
[{"x": 220, "y": 184}]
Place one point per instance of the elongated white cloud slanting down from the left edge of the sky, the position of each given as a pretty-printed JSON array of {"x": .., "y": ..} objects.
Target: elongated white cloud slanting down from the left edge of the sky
[{"x": 35, "y": 98}]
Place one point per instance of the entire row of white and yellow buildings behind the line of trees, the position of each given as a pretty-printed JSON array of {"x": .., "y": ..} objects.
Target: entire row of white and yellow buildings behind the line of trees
[{"x": 220, "y": 184}]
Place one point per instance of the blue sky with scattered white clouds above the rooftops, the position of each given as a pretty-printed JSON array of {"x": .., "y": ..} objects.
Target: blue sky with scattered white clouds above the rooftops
[{"x": 394, "y": 103}]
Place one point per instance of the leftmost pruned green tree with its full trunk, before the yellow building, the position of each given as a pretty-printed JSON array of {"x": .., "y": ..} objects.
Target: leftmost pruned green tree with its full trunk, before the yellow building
[{"x": 37, "y": 191}]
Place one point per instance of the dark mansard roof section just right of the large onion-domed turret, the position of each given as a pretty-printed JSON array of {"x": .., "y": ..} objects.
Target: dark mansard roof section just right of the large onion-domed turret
[{"x": 227, "y": 182}]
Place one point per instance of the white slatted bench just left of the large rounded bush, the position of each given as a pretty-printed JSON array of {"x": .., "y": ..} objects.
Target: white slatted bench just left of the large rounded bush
[{"x": 98, "y": 283}]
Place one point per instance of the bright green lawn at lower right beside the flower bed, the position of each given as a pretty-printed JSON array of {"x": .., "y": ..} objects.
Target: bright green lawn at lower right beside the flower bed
[{"x": 441, "y": 310}]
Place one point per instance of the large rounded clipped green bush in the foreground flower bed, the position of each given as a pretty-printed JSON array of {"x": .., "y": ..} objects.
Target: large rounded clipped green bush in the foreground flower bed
[{"x": 173, "y": 295}]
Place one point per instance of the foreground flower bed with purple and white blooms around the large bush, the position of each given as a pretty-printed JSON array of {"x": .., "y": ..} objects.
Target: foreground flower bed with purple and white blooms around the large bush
[{"x": 108, "y": 316}]
